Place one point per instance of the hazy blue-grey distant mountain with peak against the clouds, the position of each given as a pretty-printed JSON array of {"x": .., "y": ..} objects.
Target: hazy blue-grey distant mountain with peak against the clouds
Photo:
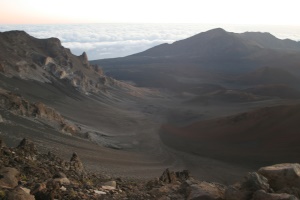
[{"x": 211, "y": 57}]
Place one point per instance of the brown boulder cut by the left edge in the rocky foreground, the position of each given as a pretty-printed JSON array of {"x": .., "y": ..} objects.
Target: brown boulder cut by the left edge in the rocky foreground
[{"x": 8, "y": 177}]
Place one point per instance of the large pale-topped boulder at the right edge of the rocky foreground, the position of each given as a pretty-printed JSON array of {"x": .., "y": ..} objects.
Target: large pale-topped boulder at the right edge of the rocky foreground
[{"x": 282, "y": 175}]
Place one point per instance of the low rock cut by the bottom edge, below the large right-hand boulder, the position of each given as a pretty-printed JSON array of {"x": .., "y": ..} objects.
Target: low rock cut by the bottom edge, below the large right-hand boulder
[{"x": 262, "y": 195}]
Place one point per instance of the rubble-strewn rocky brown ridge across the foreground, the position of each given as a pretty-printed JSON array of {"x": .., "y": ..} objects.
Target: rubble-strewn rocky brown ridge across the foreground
[{"x": 26, "y": 174}]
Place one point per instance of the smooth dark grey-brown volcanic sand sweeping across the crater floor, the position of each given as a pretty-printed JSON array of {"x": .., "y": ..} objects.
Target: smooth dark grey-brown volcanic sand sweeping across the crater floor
[{"x": 129, "y": 123}]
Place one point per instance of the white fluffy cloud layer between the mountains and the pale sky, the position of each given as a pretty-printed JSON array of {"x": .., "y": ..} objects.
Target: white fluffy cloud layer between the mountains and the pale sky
[{"x": 116, "y": 40}]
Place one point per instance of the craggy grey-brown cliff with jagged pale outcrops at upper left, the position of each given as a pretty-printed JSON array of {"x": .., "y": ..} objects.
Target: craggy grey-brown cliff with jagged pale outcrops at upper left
[{"x": 46, "y": 60}]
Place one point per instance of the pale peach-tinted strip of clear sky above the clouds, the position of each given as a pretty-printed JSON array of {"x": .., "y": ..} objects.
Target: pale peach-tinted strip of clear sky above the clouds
[{"x": 272, "y": 12}]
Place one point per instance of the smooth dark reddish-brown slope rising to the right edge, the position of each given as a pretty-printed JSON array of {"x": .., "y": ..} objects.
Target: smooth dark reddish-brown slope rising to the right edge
[{"x": 267, "y": 135}]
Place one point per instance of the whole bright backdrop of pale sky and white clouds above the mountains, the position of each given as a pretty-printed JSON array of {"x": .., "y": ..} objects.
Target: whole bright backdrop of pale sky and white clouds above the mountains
[{"x": 115, "y": 28}]
